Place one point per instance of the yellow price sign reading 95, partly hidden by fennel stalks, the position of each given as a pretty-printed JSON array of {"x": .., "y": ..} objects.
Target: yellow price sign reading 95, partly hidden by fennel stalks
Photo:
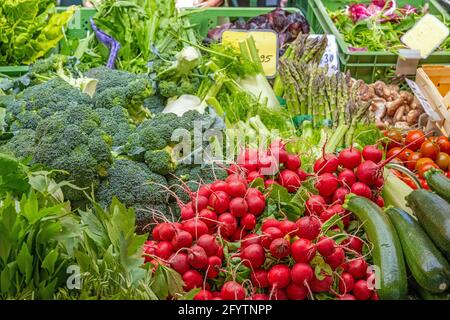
[{"x": 266, "y": 42}]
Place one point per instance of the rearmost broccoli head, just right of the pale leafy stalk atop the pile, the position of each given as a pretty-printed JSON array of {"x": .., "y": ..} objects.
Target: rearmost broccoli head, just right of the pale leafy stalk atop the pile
[{"x": 124, "y": 89}]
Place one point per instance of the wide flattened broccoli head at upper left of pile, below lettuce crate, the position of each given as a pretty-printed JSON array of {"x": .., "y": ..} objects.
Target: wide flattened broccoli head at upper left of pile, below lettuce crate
[{"x": 40, "y": 101}]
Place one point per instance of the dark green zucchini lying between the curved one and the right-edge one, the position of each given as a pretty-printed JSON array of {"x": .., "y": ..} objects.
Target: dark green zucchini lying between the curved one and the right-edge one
[{"x": 426, "y": 263}]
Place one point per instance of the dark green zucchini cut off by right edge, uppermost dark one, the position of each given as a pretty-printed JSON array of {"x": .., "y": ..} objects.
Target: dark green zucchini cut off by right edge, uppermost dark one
[{"x": 433, "y": 213}]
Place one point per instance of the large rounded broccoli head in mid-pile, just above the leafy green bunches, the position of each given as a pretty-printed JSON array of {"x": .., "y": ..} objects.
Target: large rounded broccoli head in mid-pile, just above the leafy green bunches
[{"x": 72, "y": 141}]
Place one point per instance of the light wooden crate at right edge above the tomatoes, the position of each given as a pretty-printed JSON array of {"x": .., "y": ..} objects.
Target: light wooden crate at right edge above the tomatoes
[{"x": 434, "y": 81}]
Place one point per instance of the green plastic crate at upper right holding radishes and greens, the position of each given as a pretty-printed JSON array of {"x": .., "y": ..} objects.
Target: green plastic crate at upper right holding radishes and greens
[{"x": 370, "y": 65}]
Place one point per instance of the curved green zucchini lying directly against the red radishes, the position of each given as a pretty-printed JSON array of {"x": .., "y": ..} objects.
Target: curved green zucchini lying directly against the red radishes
[{"x": 387, "y": 251}]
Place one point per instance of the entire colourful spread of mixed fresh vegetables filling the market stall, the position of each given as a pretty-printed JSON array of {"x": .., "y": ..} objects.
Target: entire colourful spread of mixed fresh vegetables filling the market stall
[{"x": 166, "y": 167}]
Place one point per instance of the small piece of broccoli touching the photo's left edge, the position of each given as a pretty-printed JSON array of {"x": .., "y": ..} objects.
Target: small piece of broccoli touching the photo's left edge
[{"x": 21, "y": 144}]
